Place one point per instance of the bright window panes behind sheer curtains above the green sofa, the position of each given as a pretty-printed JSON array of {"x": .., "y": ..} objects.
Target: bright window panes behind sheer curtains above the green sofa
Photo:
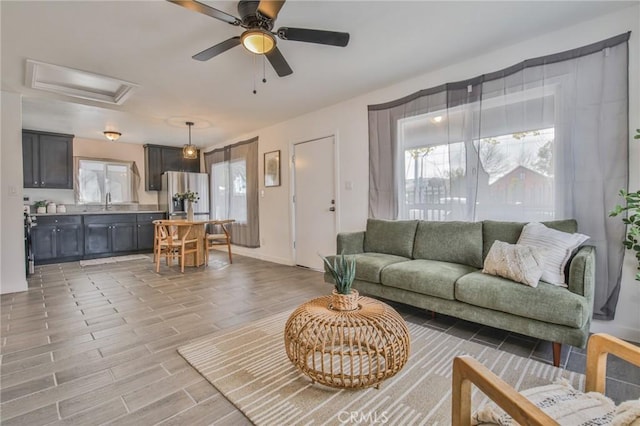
[{"x": 515, "y": 178}]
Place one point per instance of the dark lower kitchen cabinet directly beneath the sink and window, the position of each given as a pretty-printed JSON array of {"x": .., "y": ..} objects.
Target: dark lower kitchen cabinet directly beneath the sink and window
[{"x": 110, "y": 233}]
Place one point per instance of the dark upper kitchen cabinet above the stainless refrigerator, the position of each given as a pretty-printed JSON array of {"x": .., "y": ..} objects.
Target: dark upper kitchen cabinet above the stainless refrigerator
[{"x": 159, "y": 159}]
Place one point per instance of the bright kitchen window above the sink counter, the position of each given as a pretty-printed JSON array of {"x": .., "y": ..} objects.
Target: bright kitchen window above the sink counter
[{"x": 98, "y": 178}]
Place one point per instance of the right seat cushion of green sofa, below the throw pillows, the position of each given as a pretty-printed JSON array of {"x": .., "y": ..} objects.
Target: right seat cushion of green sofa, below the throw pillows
[{"x": 547, "y": 302}]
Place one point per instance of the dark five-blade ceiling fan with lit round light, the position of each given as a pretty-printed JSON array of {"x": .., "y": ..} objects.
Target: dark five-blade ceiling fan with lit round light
[{"x": 257, "y": 18}]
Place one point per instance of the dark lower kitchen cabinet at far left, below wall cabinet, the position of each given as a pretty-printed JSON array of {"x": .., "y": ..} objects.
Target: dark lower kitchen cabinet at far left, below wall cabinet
[{"x": 58, "y": 237}]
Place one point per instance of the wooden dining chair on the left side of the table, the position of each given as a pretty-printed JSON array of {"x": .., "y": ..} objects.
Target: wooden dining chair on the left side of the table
[{"x": 173, "y": 239}]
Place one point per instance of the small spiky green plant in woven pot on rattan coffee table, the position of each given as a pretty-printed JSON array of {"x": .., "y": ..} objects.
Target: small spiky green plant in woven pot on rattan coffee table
[{"x": 343, "y": 272}]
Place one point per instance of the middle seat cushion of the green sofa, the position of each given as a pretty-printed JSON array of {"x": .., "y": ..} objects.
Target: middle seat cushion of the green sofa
[{"x": 430, "y": 277}]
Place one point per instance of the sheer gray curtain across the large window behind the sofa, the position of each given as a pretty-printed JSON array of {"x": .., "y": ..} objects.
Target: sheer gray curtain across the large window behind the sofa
[{"x": 544, "y": 139}]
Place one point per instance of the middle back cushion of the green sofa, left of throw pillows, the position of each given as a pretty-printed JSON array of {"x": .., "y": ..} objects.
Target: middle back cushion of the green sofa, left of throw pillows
[{"x": 456, "y": 242}]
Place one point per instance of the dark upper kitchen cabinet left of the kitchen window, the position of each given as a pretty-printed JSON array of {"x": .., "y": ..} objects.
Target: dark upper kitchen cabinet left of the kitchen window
[{"x": 47, "y": 160}]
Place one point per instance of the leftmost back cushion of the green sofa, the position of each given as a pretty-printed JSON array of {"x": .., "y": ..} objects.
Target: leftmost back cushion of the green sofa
[{"x": 390, "y": 236}]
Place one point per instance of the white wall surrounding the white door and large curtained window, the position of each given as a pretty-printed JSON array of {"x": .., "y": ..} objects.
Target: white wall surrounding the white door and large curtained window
[{"x": 348, "y": 121}]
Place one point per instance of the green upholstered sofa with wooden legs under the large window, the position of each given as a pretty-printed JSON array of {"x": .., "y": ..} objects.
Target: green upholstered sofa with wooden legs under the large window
[{"x": 438, "y": 266}]
